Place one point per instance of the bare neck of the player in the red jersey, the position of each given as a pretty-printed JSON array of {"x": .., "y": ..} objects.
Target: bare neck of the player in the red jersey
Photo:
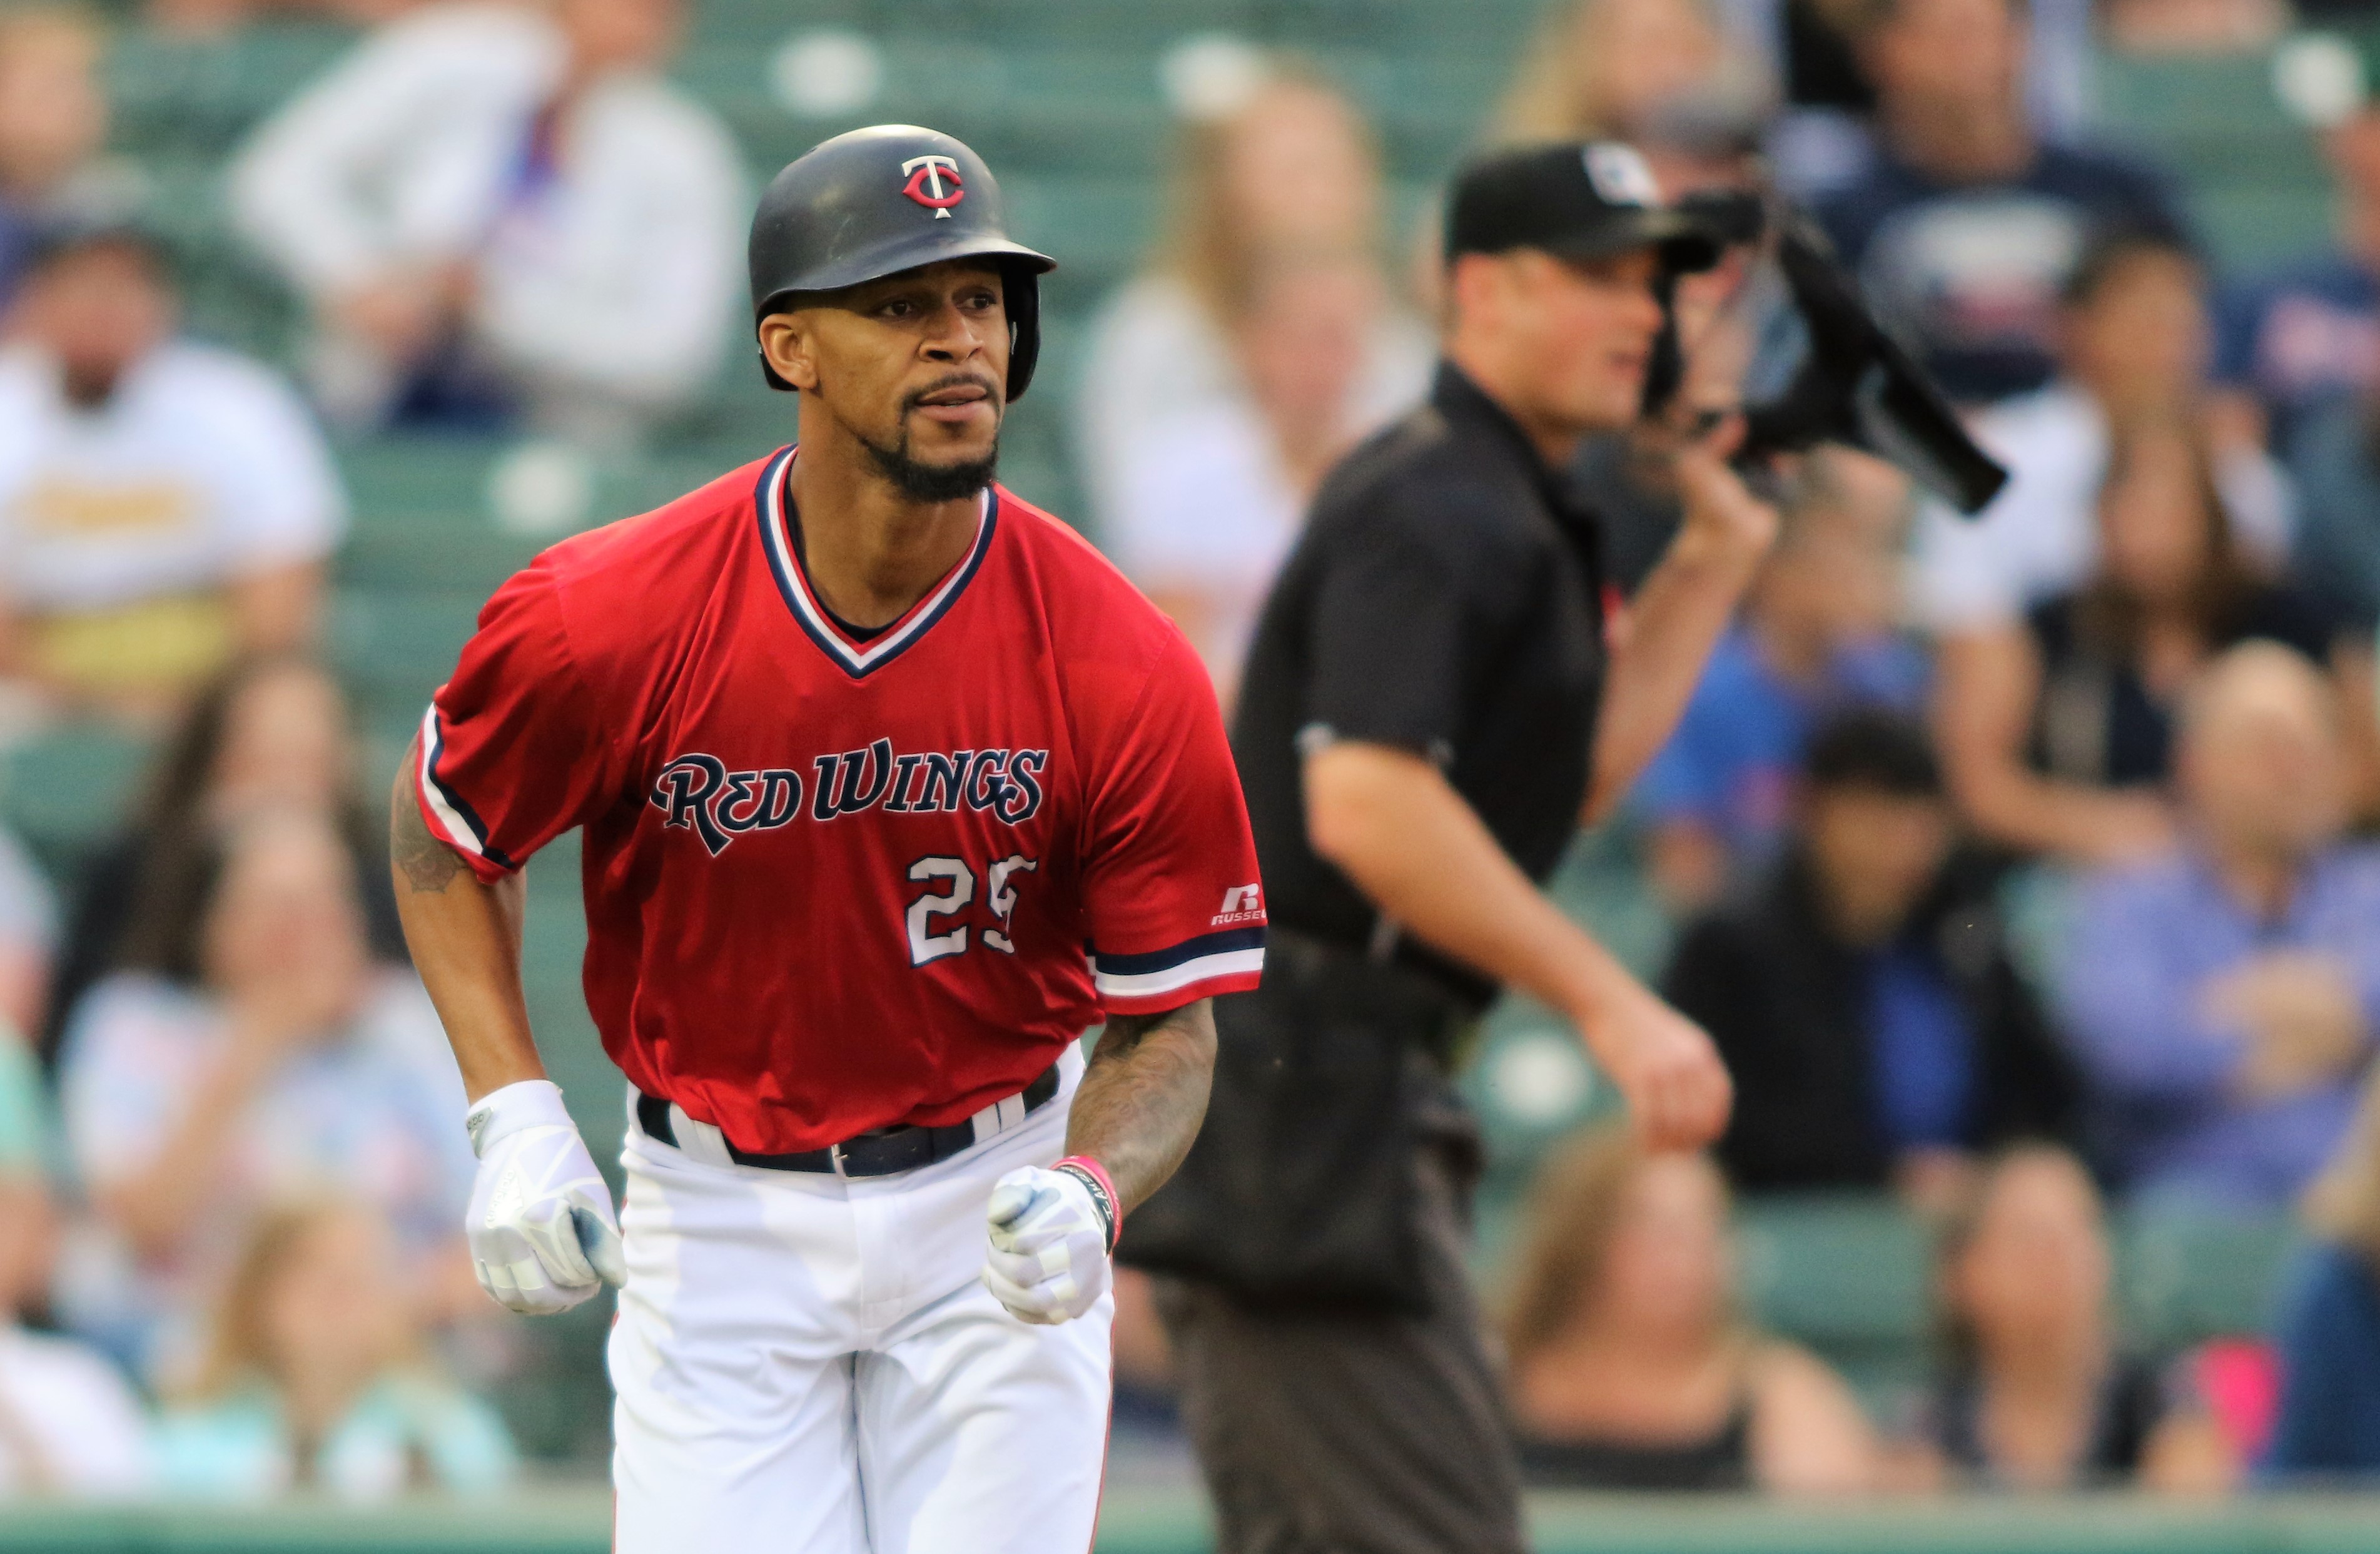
[{"x": 870, "y": 551}]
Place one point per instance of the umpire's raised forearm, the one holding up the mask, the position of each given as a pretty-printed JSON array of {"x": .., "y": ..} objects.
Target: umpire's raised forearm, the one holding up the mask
[{"x": 1670, "y": 634}]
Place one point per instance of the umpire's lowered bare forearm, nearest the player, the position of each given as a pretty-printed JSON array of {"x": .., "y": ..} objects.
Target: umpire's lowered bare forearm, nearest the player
[{"x": 1422, "y": 856}]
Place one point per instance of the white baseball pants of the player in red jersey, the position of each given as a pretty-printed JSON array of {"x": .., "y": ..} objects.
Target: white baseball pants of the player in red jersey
[{"x": 810, "y": 1365}]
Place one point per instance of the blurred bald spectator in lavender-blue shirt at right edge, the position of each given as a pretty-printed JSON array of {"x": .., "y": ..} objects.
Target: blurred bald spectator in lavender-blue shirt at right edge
[{"x": 2224, "y": 998}]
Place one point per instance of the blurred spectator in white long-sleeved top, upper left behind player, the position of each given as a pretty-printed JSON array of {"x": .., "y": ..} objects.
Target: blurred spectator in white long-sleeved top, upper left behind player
[{"x": 506, "y": 211}]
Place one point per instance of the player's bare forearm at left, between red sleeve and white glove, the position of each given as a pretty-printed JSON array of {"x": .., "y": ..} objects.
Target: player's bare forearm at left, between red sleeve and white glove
[{"x": 468, "y": 946}]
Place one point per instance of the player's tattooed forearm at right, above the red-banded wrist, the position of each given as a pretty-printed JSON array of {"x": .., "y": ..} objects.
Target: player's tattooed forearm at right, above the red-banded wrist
[{"x": 1144, "y": 1098}]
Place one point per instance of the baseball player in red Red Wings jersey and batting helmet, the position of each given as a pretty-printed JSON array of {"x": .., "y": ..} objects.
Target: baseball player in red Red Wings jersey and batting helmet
[{"x": 891, "y": 789}]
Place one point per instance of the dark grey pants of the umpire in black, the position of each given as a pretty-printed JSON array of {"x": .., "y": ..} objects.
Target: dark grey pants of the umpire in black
[{"x": 1353, "y": 1434}]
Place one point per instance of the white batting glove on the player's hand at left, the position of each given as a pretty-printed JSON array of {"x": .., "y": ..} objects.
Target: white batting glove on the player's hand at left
[{"x": 541, "y": 1224}]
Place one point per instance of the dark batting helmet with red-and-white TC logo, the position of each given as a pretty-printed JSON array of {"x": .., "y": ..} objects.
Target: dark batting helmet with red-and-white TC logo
[{"x": 879, "y": 201}]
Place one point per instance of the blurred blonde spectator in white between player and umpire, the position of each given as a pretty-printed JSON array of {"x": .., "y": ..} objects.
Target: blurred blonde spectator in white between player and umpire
[{"x": 1229, "y": 377}]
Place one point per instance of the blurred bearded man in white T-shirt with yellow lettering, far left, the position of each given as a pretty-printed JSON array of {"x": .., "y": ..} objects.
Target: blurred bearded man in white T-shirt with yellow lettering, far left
[{"x": 163, "y": 503}]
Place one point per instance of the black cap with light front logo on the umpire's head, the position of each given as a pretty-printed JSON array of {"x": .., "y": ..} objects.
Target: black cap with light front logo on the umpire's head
[{"x": 1577, "y": 203}]
